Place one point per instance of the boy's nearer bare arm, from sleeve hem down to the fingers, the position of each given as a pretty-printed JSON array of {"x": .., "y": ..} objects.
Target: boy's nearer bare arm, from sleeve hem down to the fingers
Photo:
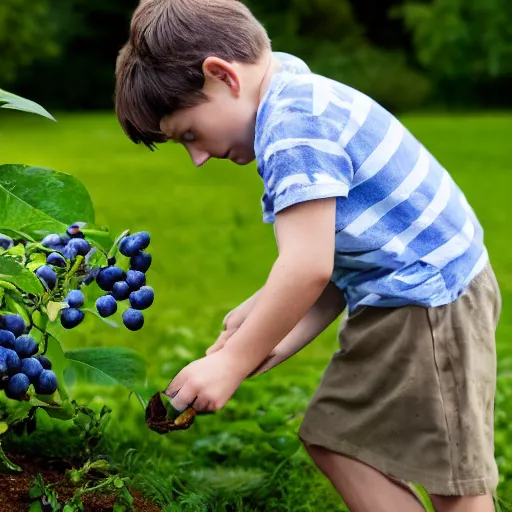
[{"x": 303, "y": 269}]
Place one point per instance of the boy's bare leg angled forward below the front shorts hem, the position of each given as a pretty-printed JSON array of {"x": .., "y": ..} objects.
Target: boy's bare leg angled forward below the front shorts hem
[{"x": 363, "y": 488}]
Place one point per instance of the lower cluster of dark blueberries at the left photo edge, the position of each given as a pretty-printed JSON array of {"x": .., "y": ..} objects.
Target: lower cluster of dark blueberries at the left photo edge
[{"x": 19, "y": 366}]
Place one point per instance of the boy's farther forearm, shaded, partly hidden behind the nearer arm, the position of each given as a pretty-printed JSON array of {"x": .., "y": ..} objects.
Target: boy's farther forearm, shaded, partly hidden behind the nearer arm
[{"x": 328, "y": 307}]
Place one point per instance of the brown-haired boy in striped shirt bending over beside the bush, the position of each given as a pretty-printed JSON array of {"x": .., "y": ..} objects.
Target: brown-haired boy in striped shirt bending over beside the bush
[{"x": 364, "y": 216}]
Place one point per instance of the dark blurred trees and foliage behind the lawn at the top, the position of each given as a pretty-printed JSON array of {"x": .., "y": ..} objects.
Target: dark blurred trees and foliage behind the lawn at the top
[{"x": 405, "y": 53}]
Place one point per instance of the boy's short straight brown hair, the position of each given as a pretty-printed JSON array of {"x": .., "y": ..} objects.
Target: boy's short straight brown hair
[{"x": 159, "y": 70}]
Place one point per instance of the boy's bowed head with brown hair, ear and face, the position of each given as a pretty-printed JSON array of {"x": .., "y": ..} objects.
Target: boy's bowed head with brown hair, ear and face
[{"x": 191, "y": 71}]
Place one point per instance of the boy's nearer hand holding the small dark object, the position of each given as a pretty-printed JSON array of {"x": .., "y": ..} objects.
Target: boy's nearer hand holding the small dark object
[{"x": 207, "y": 383}]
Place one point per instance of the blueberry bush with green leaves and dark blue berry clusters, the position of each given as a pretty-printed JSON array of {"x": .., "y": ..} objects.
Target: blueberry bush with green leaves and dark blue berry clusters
[{"x": 56, "y": 267}]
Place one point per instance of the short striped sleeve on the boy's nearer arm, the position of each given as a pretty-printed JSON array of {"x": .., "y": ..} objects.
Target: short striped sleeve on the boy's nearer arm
[{"x": 303, "y": 158}]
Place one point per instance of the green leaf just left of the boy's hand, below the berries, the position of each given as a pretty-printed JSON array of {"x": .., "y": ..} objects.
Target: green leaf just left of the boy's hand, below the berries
[{"x": 107, "y": 366}]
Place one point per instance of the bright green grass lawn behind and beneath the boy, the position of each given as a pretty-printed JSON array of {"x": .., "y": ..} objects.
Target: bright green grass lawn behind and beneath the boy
[{"x": 211, "y": 251}]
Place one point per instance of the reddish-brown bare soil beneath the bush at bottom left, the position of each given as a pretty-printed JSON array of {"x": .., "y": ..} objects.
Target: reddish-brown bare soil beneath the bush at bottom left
[{"x": 14, "y": 487}]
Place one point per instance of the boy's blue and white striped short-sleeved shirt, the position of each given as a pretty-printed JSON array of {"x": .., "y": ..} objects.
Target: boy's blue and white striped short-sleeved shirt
[{"x": 405, "y": 233}]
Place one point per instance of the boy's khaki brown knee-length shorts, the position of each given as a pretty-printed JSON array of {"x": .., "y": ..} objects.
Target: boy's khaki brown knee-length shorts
[{"x": 411, "y": 392}]
